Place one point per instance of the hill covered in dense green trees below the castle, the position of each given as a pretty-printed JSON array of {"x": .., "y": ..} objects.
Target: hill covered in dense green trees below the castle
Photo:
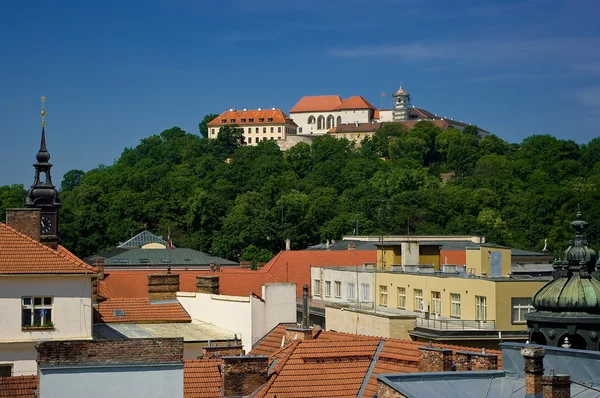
[{"x": 516, "y": 194}]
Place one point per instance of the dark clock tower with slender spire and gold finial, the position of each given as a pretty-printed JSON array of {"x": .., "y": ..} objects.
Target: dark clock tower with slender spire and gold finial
[{"x": 43, "y": 193}]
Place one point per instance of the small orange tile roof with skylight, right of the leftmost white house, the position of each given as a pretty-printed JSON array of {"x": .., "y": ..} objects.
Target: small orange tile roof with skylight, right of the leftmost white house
[{"x": 141, "y": 310}]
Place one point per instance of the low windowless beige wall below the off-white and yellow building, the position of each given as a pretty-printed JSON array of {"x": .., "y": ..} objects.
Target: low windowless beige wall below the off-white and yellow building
[{"x": 370, "y": 324}]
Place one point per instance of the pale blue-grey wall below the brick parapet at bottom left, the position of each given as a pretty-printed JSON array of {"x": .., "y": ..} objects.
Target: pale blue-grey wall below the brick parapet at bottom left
[{"x": 112, "y": 381}]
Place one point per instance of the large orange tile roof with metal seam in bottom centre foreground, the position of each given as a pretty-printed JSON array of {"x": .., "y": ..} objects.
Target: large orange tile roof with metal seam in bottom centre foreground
[{"x": 336, "y": 364}]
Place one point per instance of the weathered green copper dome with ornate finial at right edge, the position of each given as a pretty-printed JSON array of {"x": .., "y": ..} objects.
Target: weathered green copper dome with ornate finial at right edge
[{"x": 574, "y": 287}]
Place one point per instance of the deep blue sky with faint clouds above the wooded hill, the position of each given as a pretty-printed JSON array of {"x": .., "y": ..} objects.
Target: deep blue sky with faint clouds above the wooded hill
[{"x": 115, "y": 72}]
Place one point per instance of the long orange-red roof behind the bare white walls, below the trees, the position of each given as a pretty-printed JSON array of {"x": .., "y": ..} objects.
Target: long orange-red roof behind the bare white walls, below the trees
[{"x": 287, "y": 266}]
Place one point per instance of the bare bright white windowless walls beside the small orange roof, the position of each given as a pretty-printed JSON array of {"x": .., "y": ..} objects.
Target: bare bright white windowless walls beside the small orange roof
[{"x": 250, "y": 317}]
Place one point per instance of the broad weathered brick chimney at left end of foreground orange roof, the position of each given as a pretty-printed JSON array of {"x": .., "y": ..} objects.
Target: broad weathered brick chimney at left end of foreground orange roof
[{"x": 244, "y": 375}]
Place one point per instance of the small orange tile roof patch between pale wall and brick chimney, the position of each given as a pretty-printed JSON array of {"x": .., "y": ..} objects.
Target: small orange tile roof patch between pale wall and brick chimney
[{"x": 202, "y": 379}]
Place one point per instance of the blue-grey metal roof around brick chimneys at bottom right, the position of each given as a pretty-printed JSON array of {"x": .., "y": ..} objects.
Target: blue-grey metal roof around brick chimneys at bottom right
[{"x": 582, "y": 366}]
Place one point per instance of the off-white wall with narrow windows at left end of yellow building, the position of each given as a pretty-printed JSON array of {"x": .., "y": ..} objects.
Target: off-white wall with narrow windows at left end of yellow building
[{"x": 346, "y": 276}]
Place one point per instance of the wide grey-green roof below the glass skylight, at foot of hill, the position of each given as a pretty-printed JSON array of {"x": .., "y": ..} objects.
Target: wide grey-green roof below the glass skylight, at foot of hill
[{"x": 165, "y": 257}]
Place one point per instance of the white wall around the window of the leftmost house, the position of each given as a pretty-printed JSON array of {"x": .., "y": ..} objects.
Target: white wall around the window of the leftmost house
[{"x": 71, "y": 312}]
